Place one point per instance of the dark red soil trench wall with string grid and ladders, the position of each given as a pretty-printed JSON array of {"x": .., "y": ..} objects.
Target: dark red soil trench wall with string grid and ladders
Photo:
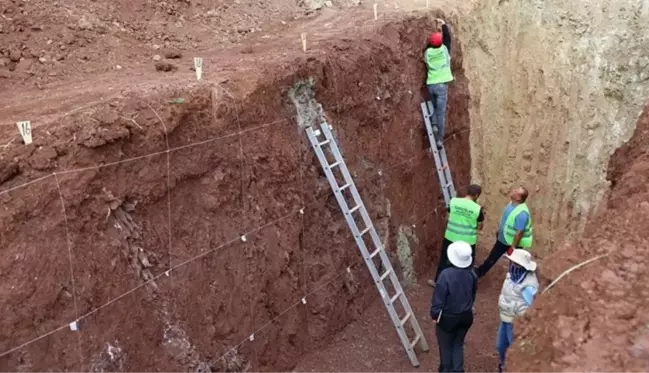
[{"x": 238, "y": 165}]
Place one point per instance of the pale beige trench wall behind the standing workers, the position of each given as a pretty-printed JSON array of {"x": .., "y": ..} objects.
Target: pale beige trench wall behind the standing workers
[{"x": 556, "y": 87}]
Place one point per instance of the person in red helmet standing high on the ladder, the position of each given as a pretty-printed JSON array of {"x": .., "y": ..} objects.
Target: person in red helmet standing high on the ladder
[{"x": 437, "y": 57}]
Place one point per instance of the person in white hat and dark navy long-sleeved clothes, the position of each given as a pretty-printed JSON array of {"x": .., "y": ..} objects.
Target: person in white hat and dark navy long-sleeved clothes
[{"x": 452, "y": 307}]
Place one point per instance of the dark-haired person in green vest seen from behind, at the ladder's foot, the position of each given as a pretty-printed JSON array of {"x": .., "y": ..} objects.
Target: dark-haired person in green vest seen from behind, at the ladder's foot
[{"x": 465, "y": 219}]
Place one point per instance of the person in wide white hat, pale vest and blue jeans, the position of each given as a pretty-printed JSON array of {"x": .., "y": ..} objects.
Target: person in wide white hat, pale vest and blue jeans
[{"x": 518, "y": 292}]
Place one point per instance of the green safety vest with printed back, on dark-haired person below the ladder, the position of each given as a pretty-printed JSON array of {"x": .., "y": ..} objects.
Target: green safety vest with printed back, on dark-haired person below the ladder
[{"x": 462, "y": 221}]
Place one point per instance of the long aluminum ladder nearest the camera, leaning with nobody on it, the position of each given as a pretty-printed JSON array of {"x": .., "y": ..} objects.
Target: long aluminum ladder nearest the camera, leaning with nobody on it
[{"x": 319, "y": 146}]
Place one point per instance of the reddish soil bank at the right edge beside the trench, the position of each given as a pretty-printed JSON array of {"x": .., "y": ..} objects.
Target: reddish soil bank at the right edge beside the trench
[{"x": 593, "y": 320}]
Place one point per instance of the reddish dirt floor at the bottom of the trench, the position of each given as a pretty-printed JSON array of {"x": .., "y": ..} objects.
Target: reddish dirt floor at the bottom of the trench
[{"x": 370, "y": 344}]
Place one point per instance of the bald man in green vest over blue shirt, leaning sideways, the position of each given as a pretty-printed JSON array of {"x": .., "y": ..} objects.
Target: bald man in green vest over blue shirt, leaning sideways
[{"x": 514, "y": 231}]
